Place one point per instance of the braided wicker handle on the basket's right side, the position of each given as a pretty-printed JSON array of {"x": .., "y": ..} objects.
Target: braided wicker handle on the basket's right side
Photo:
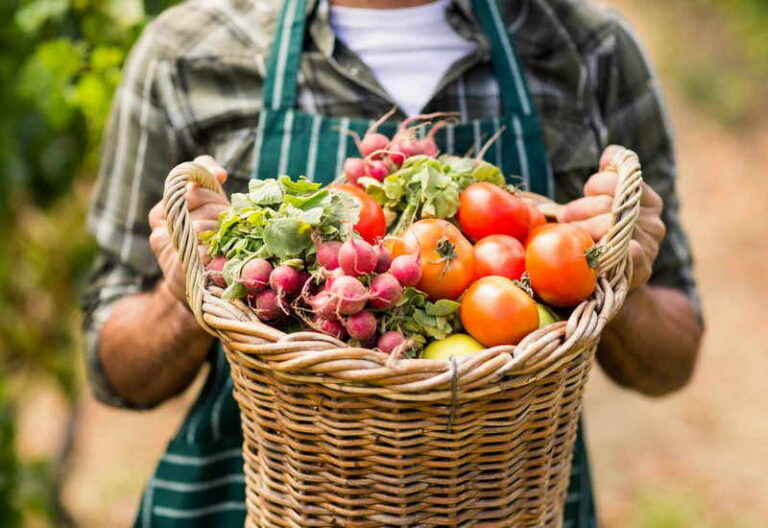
[{"x": 614, "y": 259}]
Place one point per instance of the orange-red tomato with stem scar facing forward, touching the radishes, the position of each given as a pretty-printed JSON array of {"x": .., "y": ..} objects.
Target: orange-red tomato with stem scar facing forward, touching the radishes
[{"x": 447, "y": 258}]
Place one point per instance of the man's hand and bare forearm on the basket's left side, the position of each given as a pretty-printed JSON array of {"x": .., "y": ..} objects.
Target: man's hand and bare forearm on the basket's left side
[{"x": 146, "y": 368}]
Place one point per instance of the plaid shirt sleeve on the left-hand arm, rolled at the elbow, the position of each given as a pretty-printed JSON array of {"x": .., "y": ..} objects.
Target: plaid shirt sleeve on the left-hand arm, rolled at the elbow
[{"x": 138, "y": 152}]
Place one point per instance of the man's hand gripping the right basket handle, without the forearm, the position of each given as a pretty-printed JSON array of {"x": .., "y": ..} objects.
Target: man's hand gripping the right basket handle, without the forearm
[{"x": 593, "y": 214}]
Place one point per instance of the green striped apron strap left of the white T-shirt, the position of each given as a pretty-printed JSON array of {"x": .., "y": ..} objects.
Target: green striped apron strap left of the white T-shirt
[{"x": 285, "y": 56}]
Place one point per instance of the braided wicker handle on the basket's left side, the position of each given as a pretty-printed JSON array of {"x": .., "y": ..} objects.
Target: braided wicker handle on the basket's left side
[{"x": 183, "y": 237}]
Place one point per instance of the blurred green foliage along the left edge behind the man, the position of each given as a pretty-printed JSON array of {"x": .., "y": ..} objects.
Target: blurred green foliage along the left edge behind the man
[{"x": 59, "y": 68}]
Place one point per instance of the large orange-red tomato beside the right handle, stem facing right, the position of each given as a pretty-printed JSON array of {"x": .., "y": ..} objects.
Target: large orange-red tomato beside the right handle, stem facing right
[{"x": 556, "y": 260}]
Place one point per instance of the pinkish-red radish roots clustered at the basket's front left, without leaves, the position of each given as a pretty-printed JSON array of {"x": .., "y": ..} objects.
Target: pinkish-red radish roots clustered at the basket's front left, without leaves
[{"x": 353, "y": 285}]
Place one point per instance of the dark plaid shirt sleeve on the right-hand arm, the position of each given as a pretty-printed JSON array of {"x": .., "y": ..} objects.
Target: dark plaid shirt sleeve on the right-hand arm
[{"x": 634, "y": 116}]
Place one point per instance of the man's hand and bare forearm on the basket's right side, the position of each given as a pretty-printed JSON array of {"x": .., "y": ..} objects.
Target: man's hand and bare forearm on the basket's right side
[{"x": 651, "y": 344}]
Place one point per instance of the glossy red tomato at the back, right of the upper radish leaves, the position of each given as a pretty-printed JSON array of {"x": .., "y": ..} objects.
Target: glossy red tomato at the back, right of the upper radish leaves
[{"x": 486, "y": 209}]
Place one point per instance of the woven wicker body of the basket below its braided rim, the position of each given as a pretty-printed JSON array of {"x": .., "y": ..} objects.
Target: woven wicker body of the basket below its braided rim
[{"x": 320, "y": 457}]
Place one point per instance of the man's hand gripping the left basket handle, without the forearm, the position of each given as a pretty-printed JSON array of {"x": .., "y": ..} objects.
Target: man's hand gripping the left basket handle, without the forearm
[{"x": 204, "y": 207}]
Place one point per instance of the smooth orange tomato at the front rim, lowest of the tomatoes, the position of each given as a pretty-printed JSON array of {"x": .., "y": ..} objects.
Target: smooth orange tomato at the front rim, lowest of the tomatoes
[{"x": 497, "y": 312}]
